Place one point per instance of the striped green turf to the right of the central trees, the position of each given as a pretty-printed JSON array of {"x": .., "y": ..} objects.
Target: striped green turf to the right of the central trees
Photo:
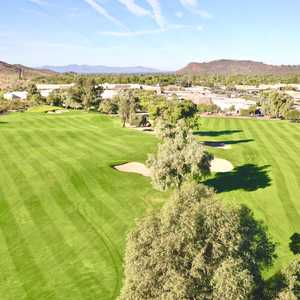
[{"x": 266, "y": 176}]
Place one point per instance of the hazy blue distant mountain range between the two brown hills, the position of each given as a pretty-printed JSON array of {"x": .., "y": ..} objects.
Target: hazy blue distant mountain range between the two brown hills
[{"x": 88, "y": 69}]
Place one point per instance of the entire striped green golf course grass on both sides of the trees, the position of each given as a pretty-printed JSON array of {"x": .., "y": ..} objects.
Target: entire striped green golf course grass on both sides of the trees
[{"x": 65, "y": 211}]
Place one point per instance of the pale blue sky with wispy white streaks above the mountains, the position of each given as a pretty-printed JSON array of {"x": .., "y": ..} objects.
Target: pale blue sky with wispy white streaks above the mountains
[{"x": 164, "y": 34}]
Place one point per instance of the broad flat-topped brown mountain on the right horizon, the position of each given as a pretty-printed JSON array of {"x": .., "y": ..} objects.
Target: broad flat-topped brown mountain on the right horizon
[{"x": 237, "y": 67}]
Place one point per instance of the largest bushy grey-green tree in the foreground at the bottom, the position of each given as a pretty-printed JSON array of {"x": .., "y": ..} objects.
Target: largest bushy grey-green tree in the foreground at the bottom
[{"x": 194, "y": 248}]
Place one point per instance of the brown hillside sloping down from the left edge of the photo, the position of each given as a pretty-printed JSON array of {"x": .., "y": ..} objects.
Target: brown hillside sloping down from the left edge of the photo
[{"x": 12, "y": 74}]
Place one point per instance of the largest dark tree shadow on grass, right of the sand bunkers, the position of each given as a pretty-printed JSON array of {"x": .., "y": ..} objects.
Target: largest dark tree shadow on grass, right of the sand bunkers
[{"x": 248, "y": 177}]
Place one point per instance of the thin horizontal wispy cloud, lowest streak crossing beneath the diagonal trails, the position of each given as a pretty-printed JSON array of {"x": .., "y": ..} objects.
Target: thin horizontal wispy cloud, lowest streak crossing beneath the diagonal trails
[{"x": 149, "y": 32}]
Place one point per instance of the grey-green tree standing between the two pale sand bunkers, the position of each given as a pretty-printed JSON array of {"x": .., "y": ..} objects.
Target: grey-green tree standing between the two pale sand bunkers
[{"x": 179, "y": 157}]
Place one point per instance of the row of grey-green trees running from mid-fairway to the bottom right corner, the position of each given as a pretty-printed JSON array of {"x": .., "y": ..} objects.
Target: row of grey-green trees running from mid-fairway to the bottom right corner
[{"x": 196, "y": 247}]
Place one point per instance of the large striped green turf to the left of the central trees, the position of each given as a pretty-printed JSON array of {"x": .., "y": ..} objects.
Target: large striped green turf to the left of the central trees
[{"x": 64, "y": 212}]
